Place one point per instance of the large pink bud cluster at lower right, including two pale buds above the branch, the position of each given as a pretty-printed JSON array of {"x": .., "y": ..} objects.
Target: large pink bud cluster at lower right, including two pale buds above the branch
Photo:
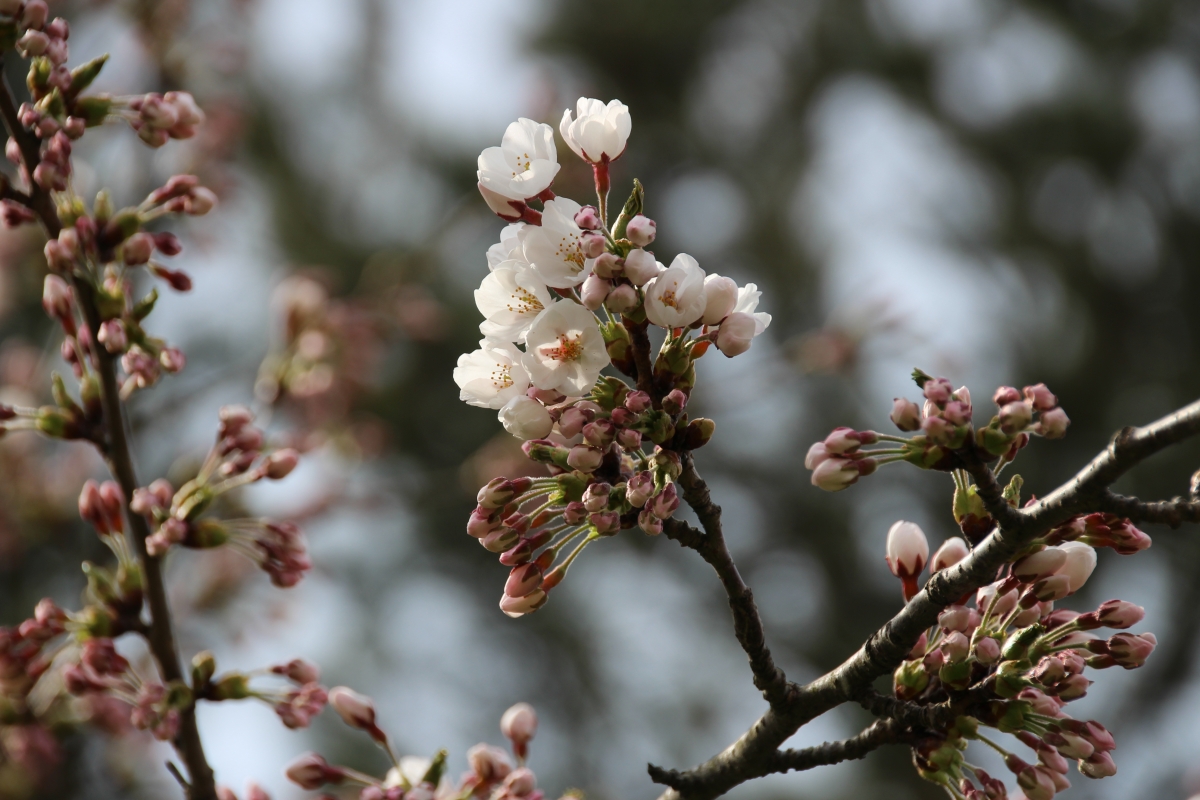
[{"x": 1011, "y": 661}]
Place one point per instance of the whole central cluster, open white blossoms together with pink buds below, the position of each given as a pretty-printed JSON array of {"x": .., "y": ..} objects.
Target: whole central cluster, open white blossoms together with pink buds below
[{"x": 554, "y": 270}]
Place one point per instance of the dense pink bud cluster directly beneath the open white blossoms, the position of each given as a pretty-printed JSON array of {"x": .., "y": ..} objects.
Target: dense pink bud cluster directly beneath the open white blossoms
[{"x": 602, "y": 482}]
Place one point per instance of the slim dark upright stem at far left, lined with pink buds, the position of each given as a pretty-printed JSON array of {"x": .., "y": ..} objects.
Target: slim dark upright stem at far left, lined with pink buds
[{"x": 121, "y": 462}]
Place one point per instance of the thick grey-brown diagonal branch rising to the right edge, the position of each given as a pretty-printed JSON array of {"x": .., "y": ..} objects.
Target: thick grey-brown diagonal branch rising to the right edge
[{"x": 754, "y": 754}]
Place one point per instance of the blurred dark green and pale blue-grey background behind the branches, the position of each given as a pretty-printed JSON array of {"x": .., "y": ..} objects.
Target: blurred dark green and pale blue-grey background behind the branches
[{"x": 992, "y": 190}]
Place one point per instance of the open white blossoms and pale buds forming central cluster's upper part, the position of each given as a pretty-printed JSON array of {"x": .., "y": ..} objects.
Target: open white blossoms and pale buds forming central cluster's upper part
[{"x": 557, "y": 267}]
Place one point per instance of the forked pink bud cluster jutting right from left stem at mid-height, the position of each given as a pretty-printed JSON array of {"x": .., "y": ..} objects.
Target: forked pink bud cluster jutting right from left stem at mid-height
[{"x": 237, "y": 460}]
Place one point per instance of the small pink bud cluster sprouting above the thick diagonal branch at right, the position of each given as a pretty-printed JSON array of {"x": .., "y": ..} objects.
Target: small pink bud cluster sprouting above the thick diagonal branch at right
[{"x": 945, "y": 429}]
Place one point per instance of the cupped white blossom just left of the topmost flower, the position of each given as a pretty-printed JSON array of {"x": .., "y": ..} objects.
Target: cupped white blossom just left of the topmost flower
[{"x": 525, "y": 165}]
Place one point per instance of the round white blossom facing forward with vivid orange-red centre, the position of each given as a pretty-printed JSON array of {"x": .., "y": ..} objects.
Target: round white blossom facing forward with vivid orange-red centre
[{"x": 565, "y": 350}]
